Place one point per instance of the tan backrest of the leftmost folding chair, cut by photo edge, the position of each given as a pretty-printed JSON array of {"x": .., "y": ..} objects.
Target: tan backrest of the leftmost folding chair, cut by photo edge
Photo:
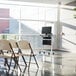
[{"x": 5, "y": 45}]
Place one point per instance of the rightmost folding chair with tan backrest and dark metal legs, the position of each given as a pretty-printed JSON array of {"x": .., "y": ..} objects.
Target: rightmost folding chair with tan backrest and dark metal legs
[{"x": 23, "y": 44}]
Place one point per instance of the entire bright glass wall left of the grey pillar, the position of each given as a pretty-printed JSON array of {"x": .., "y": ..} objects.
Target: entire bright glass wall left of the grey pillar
[{"x": 25, "y": 21}]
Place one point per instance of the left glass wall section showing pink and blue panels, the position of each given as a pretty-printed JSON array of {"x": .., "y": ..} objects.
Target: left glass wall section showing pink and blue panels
[{"x": 9, "y": 21}]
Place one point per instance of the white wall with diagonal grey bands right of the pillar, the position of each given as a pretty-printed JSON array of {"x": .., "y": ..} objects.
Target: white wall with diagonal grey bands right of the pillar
[{"x": 68, "y": 24}]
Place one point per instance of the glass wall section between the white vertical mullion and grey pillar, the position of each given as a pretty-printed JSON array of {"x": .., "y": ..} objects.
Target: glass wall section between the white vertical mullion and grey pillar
[{"x": 33, "y": 18}]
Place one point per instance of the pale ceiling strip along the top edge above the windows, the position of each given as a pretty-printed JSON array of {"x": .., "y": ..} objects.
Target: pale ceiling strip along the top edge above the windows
[{"x": 47, "y": 1}]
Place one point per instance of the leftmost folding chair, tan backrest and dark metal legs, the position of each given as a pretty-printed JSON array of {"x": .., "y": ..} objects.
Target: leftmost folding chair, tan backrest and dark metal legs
[{"x": 7, "y": 52}]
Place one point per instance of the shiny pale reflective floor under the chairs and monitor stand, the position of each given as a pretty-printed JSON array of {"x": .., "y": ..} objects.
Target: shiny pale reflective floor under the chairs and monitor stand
[{"x": 61, "y": 64}]
